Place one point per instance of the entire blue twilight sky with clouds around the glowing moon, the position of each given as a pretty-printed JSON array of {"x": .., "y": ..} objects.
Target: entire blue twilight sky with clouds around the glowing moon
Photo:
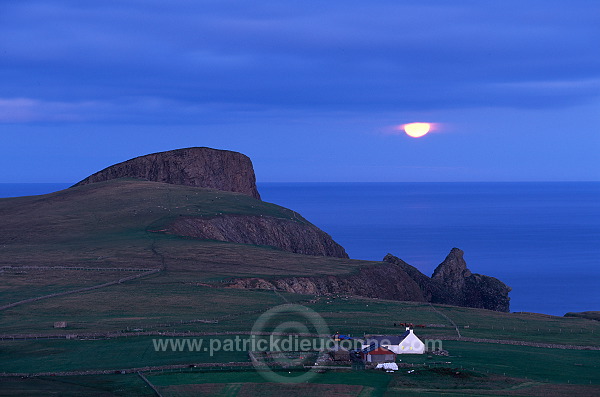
[{"x": 310, "y": 90}]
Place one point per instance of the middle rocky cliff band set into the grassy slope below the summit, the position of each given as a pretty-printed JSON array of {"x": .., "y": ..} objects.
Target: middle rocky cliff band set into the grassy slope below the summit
[{"x": 285, "y": 234}]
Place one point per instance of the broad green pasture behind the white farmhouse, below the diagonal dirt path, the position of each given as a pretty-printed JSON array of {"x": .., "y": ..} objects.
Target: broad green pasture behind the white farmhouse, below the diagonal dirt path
[{"x": 161, "y": 302}]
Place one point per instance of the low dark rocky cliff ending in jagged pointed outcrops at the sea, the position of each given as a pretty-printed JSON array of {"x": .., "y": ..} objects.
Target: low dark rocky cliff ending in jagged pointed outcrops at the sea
[{"x": 452, "y": 284}]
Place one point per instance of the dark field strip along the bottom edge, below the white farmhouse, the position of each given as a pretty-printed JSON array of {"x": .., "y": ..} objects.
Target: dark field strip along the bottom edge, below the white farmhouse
[{"x": 426, "y": 380}]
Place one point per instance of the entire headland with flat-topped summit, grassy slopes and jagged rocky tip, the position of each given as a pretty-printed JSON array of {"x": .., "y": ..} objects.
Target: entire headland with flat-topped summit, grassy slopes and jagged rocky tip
[{"x": 145, "y": 210}]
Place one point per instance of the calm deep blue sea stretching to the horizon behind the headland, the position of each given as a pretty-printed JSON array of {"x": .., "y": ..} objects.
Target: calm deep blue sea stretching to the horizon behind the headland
[{"x": 541, "y": 239}]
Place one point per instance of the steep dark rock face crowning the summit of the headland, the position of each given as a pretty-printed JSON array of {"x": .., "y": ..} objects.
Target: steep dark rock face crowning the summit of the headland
[{"x": 198, "y": 166}]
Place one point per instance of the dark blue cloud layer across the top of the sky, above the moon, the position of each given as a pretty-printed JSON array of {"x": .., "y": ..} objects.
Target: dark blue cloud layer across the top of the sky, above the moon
[{"x": 152, "y": 59}]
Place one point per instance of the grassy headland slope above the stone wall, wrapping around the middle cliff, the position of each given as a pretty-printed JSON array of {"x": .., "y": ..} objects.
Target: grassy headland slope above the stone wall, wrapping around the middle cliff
[{"x": 117, "y": 224}]
